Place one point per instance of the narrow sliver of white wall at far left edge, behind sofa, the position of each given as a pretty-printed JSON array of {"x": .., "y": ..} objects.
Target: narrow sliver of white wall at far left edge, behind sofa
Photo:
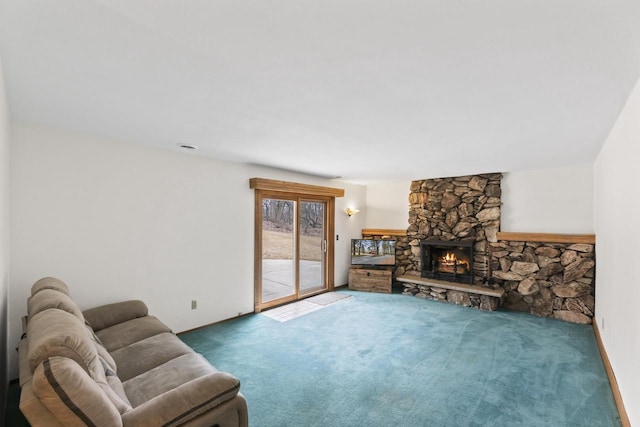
[{"x": 4, "y": 237}]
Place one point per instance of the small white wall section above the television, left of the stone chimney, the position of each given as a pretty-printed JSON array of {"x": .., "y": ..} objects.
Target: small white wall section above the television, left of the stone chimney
[{"x": 388, "y": 205}]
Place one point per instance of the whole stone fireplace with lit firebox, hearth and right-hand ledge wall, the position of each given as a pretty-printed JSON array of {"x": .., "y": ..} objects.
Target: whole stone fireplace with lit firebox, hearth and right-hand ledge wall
[{"x": 454, "y": 251}]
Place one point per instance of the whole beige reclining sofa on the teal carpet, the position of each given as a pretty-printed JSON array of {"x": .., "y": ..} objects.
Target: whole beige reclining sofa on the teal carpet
[{"x": 115, "y": 365}]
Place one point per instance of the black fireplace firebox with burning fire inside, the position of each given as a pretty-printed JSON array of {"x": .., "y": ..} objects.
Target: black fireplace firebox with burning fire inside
[{"x": 445, "y": 260}]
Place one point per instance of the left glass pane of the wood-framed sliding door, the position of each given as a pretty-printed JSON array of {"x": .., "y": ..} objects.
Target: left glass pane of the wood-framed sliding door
[{"x": 278, "y": 249}]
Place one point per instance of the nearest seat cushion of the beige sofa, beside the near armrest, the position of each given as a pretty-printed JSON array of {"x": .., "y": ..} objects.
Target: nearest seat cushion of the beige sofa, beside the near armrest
[{"x": 166, "y": 377}]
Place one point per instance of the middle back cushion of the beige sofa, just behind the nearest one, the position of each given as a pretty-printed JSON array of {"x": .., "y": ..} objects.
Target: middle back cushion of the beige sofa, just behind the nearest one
[{"x": 54, "y": 332}]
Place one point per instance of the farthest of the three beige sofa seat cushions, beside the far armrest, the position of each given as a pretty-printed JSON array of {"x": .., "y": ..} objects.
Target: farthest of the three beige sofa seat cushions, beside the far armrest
[{"x": 131, "y": 331}]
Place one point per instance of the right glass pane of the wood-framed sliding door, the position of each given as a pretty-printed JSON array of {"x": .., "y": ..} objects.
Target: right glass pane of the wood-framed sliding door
[{"x": 312, "y": 246}]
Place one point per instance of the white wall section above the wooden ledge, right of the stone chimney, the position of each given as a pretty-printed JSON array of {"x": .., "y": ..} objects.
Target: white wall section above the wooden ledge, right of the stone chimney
[{"x": 548, "y": 201}]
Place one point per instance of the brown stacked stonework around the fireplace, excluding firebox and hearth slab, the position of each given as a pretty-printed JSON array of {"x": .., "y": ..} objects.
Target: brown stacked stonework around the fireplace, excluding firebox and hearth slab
[{"x": 545, "y": 279}]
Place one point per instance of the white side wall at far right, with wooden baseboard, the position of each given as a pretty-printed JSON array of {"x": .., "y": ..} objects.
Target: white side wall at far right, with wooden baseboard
[{"x": 617, "y": 207}]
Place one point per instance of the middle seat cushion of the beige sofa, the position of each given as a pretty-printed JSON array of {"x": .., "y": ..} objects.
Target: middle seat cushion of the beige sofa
[{"x": 148, "y": 353}]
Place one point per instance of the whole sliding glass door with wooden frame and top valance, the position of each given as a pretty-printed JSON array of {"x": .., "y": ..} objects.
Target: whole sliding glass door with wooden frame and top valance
[{"x": 294, "y": 250}]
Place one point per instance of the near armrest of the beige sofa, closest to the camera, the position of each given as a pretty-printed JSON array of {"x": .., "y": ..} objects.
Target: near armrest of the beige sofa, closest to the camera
[{"x": 185, "y": 402}]
